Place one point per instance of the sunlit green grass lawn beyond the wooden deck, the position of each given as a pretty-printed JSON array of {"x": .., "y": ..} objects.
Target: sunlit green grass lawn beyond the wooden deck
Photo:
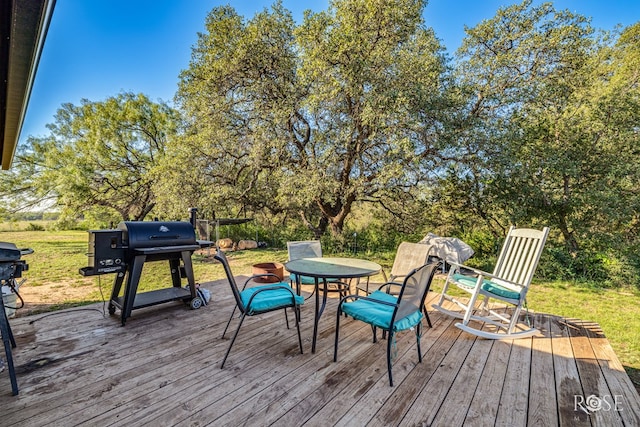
[{"x": 59, "y": 254}]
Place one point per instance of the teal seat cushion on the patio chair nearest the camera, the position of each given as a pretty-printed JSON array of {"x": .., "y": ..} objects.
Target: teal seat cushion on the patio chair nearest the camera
[{"x": 378, "y": 314}]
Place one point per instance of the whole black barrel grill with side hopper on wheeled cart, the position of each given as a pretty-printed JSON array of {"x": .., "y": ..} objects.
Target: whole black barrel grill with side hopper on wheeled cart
[{"x": 126, "y": 249}]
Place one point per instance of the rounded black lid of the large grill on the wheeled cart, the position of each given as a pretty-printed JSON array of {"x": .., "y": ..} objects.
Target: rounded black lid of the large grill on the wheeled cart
[{"x": 150, "y": 234}]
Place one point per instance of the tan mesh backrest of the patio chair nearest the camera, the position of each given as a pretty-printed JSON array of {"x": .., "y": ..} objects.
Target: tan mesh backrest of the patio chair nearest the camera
[{"x": 414, "y": 290}]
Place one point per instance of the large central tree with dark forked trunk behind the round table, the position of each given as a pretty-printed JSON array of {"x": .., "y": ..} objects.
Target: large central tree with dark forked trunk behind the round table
[{"x": 376, "y": 79}]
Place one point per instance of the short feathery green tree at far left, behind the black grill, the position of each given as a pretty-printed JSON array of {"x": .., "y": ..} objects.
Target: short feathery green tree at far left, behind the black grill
[{"x": 98, "y": 157}]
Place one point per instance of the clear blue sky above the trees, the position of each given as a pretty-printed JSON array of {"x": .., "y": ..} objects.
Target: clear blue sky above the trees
[{"x": 99, "y": 48}]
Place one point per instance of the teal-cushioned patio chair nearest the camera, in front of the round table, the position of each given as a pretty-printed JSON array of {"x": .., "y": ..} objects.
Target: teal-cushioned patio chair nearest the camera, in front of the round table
[{"x": 389, "y": 312}]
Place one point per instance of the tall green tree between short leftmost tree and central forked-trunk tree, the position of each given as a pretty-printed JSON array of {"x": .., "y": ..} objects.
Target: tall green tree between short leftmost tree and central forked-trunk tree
[{"x": 237, "y": 96}]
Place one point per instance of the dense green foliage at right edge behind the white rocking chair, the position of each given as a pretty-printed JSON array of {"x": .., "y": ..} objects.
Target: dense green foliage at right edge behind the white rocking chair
[{"x": 549, "y": 118}]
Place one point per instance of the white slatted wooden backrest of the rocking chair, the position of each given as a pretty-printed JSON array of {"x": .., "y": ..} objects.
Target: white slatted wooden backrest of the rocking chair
[{"x": 519, "y": 256}]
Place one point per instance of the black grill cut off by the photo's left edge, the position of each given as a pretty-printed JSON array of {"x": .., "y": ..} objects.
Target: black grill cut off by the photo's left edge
[{"x": 11, "y": 268}]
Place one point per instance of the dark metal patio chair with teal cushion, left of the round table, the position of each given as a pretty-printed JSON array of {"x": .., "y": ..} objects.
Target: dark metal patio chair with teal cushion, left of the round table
[{"x": 259, "y": 299}]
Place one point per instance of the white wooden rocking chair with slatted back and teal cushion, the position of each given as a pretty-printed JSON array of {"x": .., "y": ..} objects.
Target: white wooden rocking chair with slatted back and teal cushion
[{"x": 508, "y": 283}]
